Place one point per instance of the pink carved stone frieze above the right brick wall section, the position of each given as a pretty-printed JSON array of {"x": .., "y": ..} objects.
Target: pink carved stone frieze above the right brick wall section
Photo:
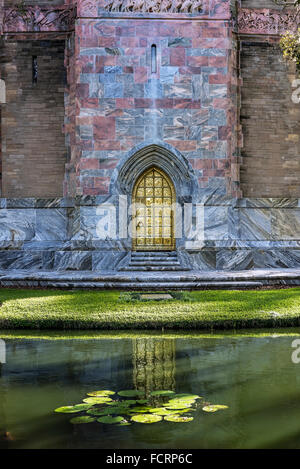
[{"x": 267, "y": 21}]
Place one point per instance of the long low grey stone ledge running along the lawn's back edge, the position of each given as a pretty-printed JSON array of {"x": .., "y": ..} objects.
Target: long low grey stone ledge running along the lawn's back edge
[{"x": 192, "y": 280}]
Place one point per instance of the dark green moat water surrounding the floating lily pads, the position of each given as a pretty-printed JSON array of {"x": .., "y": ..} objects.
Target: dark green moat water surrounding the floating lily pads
[{"x": 251, "y": 373}]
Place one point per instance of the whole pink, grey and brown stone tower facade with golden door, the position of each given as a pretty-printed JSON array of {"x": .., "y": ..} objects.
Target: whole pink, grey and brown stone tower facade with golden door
[{"x": 147, "y": 126}]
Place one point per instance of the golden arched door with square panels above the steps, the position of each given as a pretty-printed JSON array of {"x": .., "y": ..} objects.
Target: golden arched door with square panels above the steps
[{"x": 153, "y": 215}]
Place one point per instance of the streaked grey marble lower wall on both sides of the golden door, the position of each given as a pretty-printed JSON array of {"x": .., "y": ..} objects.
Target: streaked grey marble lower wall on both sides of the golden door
[{"x": 61, "y": 234}]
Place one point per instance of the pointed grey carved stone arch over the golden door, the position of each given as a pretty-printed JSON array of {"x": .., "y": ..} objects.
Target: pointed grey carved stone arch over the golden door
[{"x": 160, "y": 155}]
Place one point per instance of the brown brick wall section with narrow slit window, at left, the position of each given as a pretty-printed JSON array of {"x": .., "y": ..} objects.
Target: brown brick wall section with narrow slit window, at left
[{"x": 33, "y": 145}]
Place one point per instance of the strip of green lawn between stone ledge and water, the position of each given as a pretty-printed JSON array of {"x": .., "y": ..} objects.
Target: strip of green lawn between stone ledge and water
[{"x": 56, "y": 309}]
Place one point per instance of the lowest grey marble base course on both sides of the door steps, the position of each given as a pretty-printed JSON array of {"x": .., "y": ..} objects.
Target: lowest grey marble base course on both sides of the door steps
[{"x": 230, "y": 259}]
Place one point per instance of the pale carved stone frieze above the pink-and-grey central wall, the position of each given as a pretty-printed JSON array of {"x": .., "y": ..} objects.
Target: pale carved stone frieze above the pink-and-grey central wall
[{"x": 154, "y": 6}]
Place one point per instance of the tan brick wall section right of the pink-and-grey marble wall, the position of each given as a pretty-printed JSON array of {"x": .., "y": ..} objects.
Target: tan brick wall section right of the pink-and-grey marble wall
[{"x": 271, "y": 124}]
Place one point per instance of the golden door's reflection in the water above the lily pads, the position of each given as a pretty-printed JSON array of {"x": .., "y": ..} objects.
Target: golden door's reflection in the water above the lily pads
[{"x": 154, "y": 364}]
